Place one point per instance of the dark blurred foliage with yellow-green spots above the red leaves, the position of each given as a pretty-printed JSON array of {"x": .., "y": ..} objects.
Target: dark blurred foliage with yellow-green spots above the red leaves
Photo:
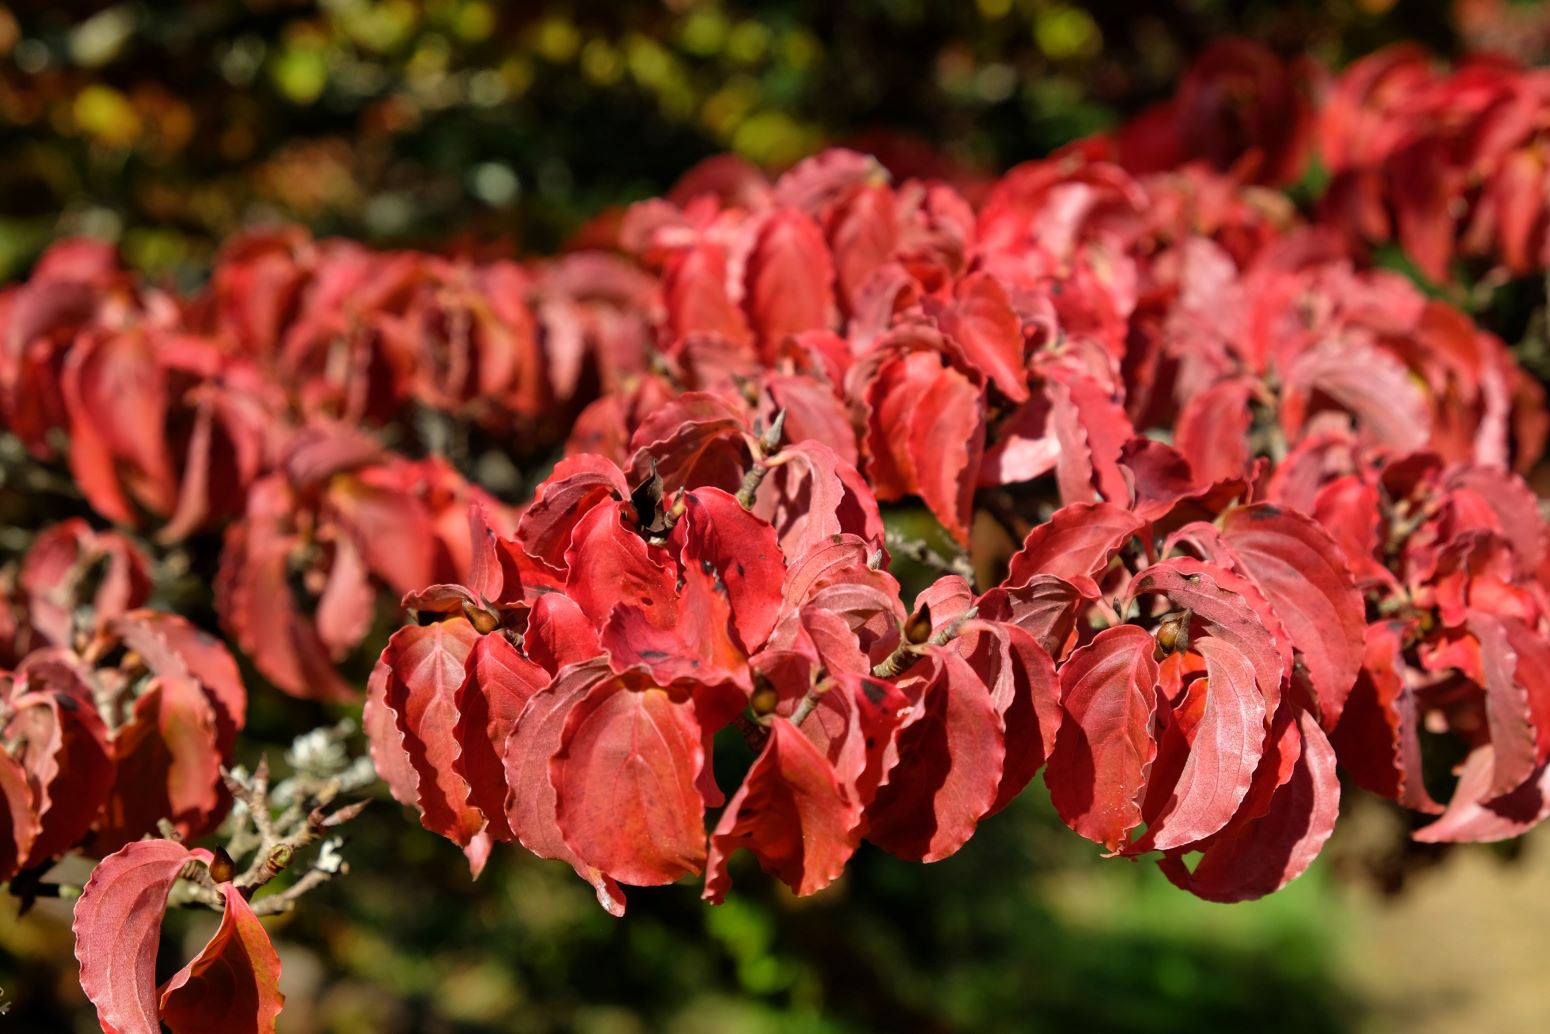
[{"x": 168, "y": 126}]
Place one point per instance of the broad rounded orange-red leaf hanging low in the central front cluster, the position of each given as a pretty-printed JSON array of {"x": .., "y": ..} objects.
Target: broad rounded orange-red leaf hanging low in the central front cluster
[{"x": 625, "y": 779}]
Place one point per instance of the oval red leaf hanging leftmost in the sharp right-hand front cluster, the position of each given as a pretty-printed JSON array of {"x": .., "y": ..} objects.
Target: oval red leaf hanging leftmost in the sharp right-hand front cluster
[{"x": 1104, "y": 750}]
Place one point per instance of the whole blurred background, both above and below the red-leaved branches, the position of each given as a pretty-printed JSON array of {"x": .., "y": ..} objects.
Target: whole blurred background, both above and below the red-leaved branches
[{"x": 472, "y": 123}]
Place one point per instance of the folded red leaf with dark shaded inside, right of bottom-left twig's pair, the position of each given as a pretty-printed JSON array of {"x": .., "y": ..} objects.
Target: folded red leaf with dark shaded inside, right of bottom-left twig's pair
[{"x": 233, "y": 984}]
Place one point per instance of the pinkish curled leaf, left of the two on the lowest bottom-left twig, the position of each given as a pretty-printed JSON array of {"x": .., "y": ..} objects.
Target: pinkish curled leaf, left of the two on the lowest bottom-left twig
[{"x": 119, "y": 928}]
